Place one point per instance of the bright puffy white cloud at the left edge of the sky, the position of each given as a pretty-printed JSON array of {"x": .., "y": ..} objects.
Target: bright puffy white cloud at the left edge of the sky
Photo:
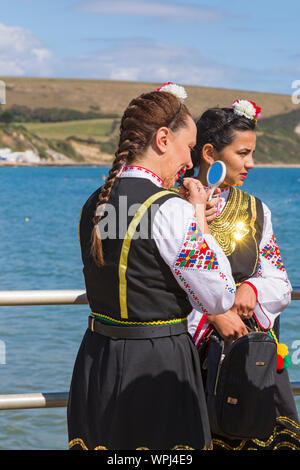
[{"x": 22, "y": 53}]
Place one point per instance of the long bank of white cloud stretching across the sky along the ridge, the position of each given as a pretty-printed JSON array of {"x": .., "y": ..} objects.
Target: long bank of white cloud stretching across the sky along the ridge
[{"x": 135, "y": 59}]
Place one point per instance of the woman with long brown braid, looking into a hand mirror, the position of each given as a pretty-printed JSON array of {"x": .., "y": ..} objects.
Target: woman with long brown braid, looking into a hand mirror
[{"x": 148, "y": 261}]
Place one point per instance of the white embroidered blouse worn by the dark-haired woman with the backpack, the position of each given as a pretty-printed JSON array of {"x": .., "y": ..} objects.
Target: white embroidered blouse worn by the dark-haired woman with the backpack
[{"x": 271, "y": 283}]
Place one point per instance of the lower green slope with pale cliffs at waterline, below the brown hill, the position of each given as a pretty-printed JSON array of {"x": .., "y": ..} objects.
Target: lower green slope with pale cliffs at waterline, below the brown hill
[{"x": 95, "y": 141}]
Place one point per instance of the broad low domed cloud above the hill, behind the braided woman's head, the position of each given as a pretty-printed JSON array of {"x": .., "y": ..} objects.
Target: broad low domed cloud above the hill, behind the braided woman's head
[{"x": 142, "y": 60}]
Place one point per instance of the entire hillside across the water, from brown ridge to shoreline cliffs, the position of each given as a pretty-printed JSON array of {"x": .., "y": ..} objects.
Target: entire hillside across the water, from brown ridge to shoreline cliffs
[{"x": 82, "y": 139}]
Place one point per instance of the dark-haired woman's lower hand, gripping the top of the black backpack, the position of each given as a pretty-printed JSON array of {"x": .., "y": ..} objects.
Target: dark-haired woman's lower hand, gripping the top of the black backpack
[{"x": 229, "y": 325}]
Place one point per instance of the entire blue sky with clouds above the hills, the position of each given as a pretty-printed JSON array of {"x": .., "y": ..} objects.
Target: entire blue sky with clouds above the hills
[{"x": 247, "y": 45}]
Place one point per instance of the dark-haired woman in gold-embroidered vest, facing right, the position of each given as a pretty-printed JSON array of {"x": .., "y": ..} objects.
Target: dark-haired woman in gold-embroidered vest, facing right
[{"x": 243, "y": 229}]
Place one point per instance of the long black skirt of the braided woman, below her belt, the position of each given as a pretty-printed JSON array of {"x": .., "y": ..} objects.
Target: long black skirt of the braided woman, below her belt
[{"x": 137, "y": 394}]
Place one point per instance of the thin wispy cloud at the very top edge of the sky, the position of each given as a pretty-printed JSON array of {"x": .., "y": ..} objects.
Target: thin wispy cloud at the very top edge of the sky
[{"x": 162, "y": 9}]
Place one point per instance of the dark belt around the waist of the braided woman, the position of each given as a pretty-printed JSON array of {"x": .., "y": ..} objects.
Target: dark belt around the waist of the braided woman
[{"x": 137, "y": 332}]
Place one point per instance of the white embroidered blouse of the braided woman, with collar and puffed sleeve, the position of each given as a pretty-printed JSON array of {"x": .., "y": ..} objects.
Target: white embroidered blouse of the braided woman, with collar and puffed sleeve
[{"x": 196, "y": 260}]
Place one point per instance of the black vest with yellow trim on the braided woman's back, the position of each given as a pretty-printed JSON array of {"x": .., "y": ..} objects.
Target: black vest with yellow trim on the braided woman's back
[{"x": 134, "y": 284}]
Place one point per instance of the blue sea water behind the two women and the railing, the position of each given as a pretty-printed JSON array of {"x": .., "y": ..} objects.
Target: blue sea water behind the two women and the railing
[{"x": 39, "y": 249}]
